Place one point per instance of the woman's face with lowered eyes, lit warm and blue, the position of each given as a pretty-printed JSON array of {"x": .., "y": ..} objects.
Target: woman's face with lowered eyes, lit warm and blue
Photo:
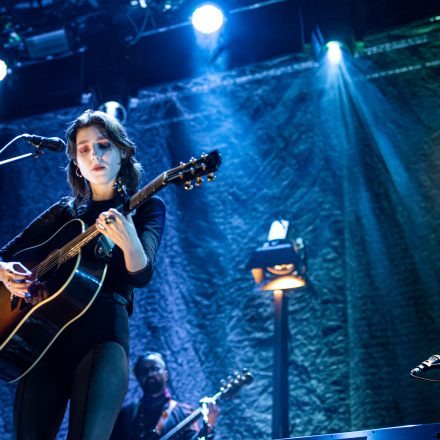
[{"x": 96, "y": 157}]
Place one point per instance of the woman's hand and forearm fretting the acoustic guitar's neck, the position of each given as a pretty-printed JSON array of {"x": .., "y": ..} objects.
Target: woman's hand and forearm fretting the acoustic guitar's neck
[{"x": 122, "y": 232}]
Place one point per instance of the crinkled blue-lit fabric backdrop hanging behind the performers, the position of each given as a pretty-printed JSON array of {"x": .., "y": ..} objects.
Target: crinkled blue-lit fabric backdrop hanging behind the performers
[{"x": 351, "y": 158}]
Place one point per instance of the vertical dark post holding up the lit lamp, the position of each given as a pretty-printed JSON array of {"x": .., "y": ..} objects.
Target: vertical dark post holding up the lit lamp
[{"x": 280, "y": 406}]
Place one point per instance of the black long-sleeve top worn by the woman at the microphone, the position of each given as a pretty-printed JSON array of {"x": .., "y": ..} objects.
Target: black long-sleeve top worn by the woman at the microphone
[{"x": 106, "y": 320}]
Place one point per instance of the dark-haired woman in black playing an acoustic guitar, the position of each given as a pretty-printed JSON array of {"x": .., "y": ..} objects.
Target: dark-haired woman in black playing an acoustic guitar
[{"x": 88, "y": 363}]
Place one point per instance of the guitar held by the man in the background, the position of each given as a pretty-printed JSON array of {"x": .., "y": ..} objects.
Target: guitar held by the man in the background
[{"x": 228, "y": 388}]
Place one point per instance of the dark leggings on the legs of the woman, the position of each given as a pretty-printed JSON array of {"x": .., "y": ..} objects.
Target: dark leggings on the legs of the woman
[{"x": 96, "y": 391}]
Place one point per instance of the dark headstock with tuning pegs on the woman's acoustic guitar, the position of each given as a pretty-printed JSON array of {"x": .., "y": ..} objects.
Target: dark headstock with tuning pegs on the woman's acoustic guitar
[{"x": 194, "y": 170}]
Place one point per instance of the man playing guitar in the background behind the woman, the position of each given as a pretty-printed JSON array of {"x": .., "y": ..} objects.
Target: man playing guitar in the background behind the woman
[{"x": 156, "y": 412}]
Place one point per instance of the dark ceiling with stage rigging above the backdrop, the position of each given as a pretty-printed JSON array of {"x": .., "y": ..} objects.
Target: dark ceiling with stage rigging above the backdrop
[{"x": 113, "y": 48}]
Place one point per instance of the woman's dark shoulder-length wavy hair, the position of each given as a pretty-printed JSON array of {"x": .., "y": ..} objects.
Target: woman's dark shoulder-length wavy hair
[{"x": 131, "y": 169}]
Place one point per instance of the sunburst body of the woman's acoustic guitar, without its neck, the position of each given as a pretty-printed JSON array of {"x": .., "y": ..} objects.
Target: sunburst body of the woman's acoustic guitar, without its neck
[{"x": 26, "y": 331}]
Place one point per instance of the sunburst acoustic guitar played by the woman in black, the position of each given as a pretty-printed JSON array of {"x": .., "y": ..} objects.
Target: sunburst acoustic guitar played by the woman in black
[{"x": 71, "y": 281}]
